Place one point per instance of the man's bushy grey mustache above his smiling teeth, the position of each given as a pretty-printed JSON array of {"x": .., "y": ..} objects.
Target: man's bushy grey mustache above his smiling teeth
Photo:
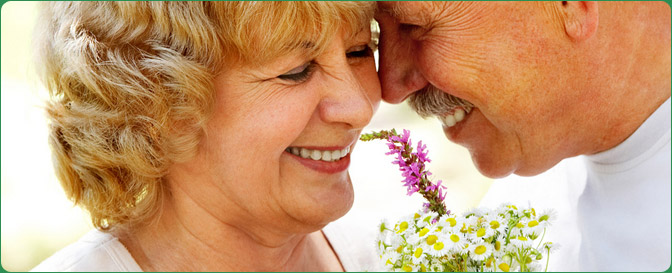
[{"x": 431, "y": 101}]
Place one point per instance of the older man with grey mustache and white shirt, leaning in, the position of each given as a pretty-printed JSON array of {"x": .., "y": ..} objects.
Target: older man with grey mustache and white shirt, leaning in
[{"x": 524, "y": 85}]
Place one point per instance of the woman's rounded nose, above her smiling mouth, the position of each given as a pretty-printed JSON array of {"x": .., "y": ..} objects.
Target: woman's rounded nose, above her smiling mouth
[{"x": 351, "y": 98}]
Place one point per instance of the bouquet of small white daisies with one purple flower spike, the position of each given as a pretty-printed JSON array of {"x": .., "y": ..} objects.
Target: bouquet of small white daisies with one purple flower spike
[{"x": 434, "y": 239}]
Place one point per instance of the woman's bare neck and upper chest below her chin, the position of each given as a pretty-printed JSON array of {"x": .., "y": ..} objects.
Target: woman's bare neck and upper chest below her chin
[{"x": 187, "y": 237}]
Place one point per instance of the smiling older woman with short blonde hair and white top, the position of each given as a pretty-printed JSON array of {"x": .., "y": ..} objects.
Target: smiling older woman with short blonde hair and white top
[{"x": 208, "y": 136}]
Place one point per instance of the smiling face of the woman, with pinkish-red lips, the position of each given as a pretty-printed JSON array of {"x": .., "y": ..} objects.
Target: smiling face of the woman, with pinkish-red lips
[{"x": 247, "y": 168}]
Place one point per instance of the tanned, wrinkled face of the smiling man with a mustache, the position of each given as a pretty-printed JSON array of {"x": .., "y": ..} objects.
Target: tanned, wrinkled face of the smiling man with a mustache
[{"x": 504, "y": 58}]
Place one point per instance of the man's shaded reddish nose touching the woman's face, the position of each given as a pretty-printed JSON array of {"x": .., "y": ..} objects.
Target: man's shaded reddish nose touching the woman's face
[{"x": 399, "y": 76}]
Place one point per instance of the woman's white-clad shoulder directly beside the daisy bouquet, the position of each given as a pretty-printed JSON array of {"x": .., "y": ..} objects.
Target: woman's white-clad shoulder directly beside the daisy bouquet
[{"x": 353, "y": 240}]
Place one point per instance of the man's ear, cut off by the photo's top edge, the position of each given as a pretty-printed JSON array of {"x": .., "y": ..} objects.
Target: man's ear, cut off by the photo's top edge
[{"x": 580, "y": 19}]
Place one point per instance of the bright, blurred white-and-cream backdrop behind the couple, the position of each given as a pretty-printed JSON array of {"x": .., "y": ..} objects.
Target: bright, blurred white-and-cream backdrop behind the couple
[{"x": 37, "y": 219}]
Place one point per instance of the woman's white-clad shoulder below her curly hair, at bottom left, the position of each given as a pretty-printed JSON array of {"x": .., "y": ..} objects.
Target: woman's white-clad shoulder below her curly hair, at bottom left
[{"x": 95, "y": 251}]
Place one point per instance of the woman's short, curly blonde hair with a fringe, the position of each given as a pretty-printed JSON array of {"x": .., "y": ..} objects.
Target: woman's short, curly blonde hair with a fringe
[{"x": 131, "y": 85}]
